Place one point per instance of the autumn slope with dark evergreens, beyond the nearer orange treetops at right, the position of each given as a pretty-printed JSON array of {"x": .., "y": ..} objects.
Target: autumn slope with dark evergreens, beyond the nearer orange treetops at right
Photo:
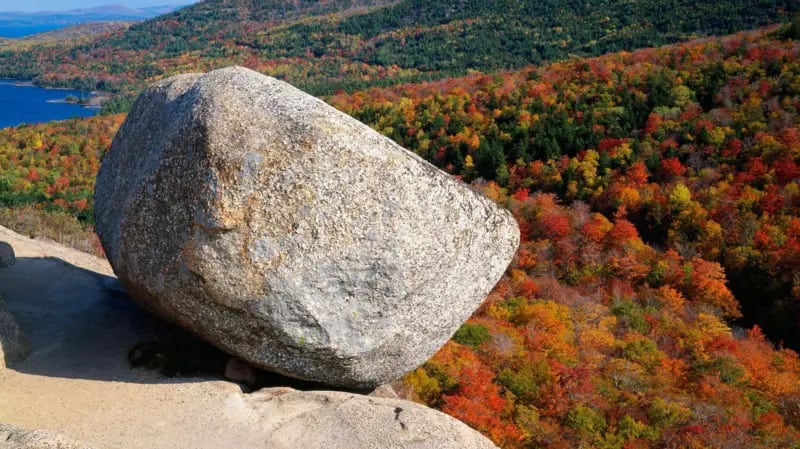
[{"x": 696, "y": 144}]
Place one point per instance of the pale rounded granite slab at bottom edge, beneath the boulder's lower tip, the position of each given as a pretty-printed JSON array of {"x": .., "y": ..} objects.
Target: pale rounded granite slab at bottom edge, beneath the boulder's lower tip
[{"x": 334, "y": 420}]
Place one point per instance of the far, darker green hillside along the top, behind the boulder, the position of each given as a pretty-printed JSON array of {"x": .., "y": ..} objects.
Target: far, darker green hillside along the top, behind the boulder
[{"x": 352, "y": 44}]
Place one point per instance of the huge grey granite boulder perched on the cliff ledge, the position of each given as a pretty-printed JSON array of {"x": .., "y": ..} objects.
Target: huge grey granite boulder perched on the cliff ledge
[{"x": 290, "y": 234}]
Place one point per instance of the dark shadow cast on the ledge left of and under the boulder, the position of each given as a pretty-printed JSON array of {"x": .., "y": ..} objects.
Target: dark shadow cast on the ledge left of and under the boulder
[{"x": 82, "y": 324}]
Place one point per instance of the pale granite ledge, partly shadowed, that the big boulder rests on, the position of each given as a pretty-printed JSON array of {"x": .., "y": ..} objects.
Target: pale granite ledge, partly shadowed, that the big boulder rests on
[{"x": 77, "y": 382}]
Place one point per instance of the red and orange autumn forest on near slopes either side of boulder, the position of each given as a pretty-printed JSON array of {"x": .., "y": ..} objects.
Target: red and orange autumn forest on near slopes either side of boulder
[{"x": 658, "y": 193}]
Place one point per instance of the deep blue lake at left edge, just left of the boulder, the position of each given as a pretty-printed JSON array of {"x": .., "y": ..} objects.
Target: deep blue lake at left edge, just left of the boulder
[{"x": 25, "y": 103}]
